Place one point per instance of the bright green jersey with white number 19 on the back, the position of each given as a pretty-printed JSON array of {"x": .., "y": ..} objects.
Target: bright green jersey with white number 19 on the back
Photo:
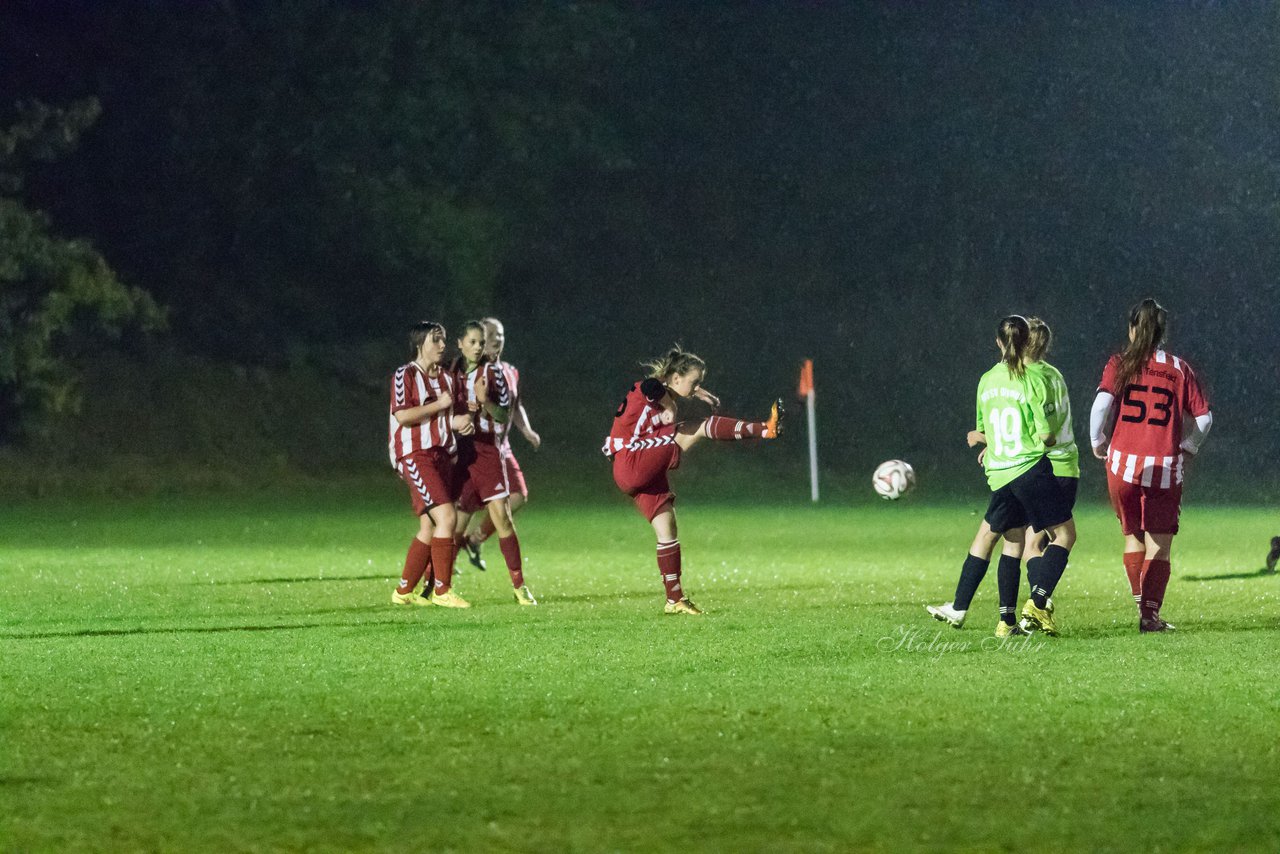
[{"x": 1012, "y": 413}]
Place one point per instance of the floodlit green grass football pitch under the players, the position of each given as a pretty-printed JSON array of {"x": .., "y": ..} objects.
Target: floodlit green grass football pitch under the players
[{"x": 228, "y": 677}]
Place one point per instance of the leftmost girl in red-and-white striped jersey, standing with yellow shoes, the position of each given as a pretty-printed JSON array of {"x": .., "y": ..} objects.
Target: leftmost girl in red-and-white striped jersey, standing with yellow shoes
[{"x": 424, "y": 423}]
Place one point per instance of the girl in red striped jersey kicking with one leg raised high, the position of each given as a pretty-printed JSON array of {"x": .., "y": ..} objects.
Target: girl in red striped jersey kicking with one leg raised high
[{"x": 660, "y": 418}]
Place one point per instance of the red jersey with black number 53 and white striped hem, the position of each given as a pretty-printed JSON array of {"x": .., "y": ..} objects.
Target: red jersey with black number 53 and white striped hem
[{"x": 1146, "y": 444}]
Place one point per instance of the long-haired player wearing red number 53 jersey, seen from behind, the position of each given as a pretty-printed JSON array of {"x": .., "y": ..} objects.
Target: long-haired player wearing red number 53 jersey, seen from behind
[{"x": 1153, "y": 390}]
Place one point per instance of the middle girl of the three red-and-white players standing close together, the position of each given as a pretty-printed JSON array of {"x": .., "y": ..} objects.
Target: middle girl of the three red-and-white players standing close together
[{"x": 481, "y": 473}]
